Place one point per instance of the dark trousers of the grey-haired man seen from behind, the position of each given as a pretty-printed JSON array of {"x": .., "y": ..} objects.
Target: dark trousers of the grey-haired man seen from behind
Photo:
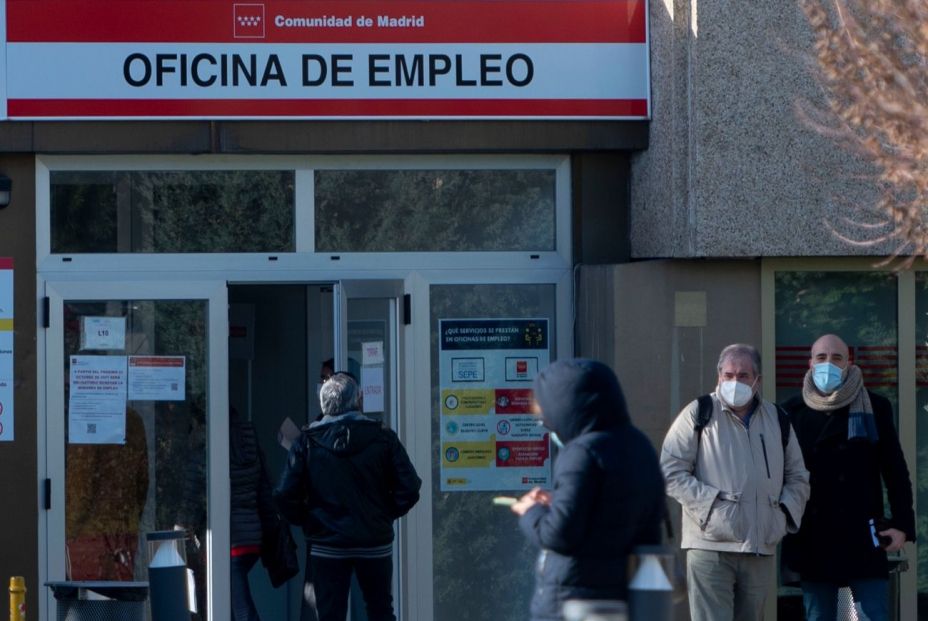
[{"x": 332, "y": 581}]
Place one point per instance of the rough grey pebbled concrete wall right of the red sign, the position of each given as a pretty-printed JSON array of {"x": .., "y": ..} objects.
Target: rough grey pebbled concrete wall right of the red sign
[{"x": 732, "y": 170}]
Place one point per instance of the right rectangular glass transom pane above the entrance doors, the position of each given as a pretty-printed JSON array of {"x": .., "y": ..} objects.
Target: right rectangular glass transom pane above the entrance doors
[{"x": 434, "y": 210}]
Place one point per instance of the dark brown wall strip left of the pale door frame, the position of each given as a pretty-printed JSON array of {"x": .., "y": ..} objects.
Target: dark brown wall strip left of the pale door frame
[{"x": 18, "y": 459}]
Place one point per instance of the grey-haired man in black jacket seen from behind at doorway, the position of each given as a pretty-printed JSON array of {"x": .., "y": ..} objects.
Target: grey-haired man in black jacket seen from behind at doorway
[{"x": 346, "y": 480}]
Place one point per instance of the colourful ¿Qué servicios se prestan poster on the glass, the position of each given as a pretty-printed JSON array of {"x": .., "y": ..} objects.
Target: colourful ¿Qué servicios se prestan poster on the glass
[{"x": 489, "y": 438}]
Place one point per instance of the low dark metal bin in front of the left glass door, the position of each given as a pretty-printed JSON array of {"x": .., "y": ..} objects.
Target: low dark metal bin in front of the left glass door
[{"x": 100, "y": 601}]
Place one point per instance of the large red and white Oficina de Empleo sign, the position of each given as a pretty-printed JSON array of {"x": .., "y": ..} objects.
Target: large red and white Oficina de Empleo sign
[{"x": 145, "y": 59}]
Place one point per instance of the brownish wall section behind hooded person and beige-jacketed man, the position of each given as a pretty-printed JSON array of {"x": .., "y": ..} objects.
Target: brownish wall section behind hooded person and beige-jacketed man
[{"x": 661, "y": 326}]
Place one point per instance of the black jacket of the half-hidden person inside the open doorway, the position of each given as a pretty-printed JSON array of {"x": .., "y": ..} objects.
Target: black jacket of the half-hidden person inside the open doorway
[{"x": 250, "y": 492}]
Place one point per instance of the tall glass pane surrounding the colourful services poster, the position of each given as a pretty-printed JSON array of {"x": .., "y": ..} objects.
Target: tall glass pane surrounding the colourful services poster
[{"x": 477, "y": 547}]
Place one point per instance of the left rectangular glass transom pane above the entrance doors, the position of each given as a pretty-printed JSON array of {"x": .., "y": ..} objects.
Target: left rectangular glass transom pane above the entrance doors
[{"x": 172, "y": 211}]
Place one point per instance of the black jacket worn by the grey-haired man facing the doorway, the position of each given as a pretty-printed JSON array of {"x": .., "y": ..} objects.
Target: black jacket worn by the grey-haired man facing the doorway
[{"x": 347, "y": 479}]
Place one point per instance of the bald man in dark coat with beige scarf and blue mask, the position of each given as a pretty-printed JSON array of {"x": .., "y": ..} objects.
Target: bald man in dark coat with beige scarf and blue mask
[{"x": 851, "y": 448}]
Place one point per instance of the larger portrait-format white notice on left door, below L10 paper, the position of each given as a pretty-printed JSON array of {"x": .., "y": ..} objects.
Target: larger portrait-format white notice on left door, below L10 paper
[{"x": 97, "y": 402}]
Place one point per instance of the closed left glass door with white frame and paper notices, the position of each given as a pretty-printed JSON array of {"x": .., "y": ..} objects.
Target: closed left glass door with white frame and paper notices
[{"x": 136, "y": 393}]
